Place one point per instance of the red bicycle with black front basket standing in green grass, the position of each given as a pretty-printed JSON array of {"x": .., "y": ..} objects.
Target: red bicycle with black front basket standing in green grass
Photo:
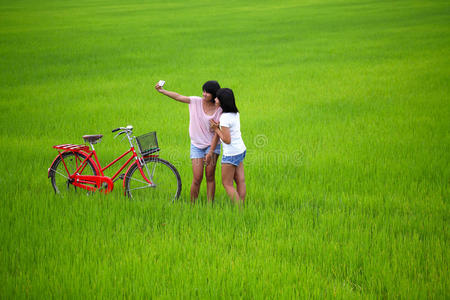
[{"x": 77, "y": 167}]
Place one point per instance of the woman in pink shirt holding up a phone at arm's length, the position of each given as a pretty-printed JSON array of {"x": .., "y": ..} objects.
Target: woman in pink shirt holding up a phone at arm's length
[{"x": 205, "y": 147}]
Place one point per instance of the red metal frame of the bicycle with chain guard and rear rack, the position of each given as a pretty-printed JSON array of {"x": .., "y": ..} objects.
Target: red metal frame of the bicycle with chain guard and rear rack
[{"x": 100, "y": 181}]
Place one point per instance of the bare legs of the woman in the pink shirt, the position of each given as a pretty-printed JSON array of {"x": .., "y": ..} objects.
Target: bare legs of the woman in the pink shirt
[{"x": 198, "y": 168}]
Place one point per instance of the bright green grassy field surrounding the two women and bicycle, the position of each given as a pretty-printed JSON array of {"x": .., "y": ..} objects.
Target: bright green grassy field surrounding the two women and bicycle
[{"x": 344, "y": 110}]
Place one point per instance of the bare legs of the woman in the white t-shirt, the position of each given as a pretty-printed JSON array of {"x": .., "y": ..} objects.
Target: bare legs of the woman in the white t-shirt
[{"x": 230, "y": 174}]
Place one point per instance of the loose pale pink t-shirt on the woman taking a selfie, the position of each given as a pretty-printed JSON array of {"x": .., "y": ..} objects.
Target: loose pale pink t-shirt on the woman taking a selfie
[{"x": 199, "y": 129}]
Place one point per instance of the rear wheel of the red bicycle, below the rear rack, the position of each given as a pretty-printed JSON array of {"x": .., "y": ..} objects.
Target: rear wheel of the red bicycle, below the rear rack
[{"x": 59, "y": 176}]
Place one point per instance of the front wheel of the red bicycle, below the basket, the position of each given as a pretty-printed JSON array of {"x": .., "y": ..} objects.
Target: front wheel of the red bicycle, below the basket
[{"x": 166, "y": 181}]
